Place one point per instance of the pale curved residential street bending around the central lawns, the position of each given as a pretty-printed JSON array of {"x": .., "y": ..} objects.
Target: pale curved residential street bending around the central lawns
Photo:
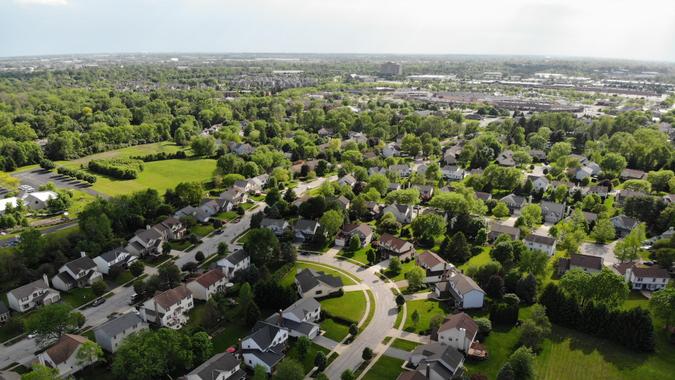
[{"x": 381, "y": 324}]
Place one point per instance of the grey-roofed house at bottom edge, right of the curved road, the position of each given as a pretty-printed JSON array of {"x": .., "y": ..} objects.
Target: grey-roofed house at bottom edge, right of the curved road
[{"x": 436, "y": 361}]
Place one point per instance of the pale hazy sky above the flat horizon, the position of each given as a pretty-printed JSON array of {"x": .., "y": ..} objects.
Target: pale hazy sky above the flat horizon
[{"x": 630, "y": 29}]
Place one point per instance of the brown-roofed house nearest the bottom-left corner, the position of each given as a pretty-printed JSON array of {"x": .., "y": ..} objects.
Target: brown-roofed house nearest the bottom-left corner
[{"x": 63, "y": 357}]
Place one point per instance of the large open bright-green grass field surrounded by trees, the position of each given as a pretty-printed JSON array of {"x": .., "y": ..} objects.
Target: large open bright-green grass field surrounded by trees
[{"x": 158, "y": 175}]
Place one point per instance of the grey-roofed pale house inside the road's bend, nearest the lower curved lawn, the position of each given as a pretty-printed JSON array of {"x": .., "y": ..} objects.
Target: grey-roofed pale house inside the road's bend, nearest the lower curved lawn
[{"x": 300, "y": 319}]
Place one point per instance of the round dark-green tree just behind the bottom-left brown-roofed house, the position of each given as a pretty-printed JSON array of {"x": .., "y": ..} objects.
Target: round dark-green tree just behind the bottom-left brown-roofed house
[{"x": 51, "y": 321}]
